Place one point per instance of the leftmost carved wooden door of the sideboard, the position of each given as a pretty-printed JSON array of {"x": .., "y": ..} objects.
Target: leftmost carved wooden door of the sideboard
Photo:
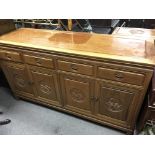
[{"x": 18, "y": 78}]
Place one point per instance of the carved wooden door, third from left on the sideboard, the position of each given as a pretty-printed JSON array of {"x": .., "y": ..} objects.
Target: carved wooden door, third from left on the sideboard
[{"x": 77, "y": 93}]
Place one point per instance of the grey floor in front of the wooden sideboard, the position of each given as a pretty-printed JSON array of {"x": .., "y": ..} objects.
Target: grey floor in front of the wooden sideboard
[{"x": 31, "y": 119}]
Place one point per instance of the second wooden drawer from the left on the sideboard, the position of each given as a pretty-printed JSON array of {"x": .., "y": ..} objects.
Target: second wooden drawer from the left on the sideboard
[{"x": 39, "y": 61}]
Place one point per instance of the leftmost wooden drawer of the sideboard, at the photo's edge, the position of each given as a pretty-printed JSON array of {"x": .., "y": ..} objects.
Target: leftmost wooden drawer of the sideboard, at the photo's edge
[{"x": 12, "y": 56}]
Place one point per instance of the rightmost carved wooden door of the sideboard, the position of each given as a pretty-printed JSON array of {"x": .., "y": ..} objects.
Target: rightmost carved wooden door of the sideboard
[{"x": 115, "y": 102}]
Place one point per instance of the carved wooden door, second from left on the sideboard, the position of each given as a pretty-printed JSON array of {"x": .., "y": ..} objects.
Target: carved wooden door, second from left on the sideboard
[{"x": 45, "y": 82}]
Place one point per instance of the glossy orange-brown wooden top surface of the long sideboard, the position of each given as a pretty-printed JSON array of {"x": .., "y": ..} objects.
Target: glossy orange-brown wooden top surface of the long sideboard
[{"x": 121, "y": 48}]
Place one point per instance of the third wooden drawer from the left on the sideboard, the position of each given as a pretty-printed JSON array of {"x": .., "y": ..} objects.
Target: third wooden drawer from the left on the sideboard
[{"x": 75, "y": 67}]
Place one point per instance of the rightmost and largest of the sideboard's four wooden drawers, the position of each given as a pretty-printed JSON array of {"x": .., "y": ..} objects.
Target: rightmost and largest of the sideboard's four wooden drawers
[{"x": 121, "y": 76}]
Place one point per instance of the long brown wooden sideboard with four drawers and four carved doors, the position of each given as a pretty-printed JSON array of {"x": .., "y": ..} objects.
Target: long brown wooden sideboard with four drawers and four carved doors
[{"x": 102, "y": 78}]
